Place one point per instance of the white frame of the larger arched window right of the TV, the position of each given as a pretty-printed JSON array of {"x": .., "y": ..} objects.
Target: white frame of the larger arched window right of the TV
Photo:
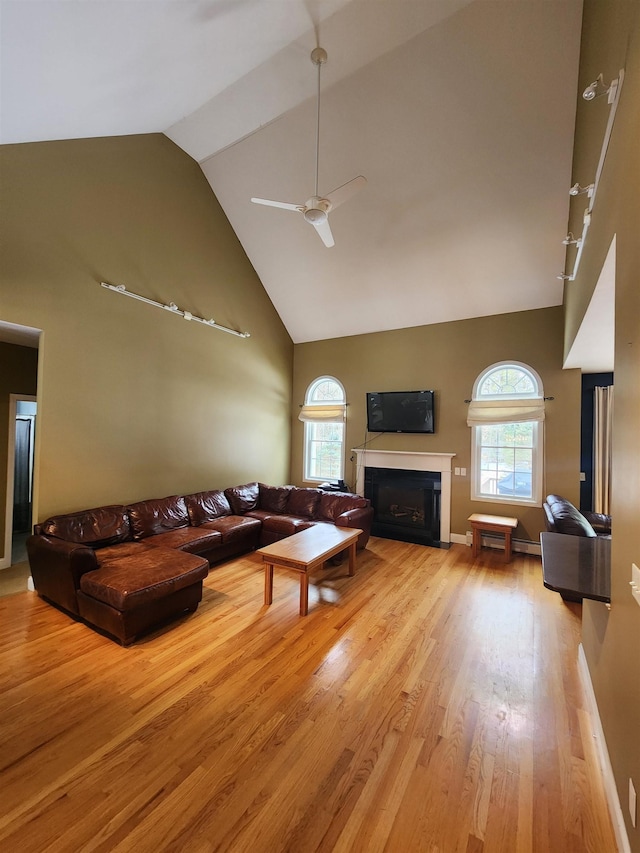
[{"x": 537, "y": 443}]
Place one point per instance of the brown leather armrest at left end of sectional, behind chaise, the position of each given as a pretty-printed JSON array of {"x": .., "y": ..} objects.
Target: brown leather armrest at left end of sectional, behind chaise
[{"x": 57, "y": 566}]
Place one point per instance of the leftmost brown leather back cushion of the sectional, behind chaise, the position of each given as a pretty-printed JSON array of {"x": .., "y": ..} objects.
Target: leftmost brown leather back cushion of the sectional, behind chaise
[{"x": 105, "y": 525}]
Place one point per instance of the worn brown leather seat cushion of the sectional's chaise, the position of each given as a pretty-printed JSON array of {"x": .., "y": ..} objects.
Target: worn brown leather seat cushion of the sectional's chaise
[{"x": 130, "y": 582}]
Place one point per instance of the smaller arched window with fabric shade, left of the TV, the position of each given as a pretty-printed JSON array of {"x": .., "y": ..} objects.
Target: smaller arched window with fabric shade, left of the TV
[{"x": 323, "y": 414}]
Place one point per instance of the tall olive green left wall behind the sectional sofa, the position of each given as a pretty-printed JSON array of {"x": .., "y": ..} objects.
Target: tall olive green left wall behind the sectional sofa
[{"x": 134, "y": 402}]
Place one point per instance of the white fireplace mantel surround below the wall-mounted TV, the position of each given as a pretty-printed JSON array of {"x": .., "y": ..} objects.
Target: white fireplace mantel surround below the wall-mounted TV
[{"x": 410, "y": 461}]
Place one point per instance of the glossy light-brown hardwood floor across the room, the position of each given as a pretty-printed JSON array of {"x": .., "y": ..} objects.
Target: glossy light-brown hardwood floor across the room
[{"x": 430, "y": 703}]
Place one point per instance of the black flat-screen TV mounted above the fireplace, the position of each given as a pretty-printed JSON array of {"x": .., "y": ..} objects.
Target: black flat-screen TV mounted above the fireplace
[{"x": 400, "y": 411}]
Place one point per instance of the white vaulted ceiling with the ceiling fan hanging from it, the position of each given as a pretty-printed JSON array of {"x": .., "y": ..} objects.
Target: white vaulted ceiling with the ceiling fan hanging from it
[{"x": 460, "y": 114}]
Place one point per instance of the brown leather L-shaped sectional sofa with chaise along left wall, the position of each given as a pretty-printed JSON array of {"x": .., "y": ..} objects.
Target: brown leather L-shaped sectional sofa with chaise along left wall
[{"x": 125, "y": 569}]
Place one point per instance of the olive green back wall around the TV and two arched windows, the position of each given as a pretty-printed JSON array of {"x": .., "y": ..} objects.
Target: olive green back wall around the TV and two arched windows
[{"x": 448, "y": 358}]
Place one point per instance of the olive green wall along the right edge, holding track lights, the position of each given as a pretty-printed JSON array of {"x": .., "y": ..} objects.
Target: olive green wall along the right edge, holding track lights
[{"x": 611, "y": 639}]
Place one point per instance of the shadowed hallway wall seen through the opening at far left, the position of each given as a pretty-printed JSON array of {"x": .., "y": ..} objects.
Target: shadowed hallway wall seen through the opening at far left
[{"x": 18, "y": 375}]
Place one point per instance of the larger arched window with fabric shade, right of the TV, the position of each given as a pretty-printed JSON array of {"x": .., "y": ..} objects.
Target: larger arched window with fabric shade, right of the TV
[{"x": 505, "y": 416}]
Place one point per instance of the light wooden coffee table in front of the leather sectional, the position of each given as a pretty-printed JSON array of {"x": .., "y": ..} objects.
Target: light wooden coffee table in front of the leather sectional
[{"x": 305, "y": 551}]
